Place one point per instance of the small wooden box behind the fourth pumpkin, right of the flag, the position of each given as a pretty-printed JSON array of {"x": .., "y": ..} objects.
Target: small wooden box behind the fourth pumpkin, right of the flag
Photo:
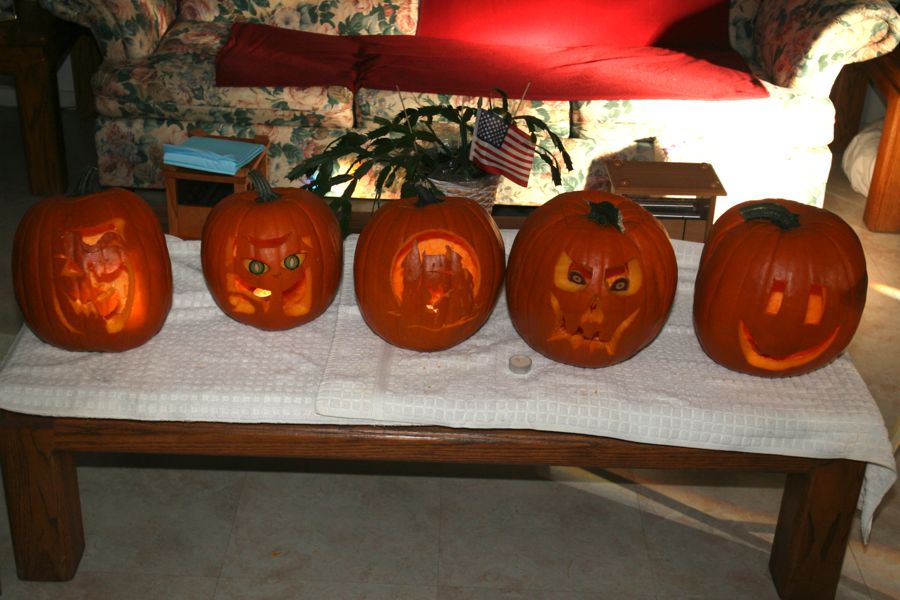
[{"x": 681, "y": 195}]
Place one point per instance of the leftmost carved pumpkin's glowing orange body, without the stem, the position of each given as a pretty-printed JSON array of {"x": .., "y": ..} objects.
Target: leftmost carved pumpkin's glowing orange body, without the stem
[{"x": 92, "y": 272}]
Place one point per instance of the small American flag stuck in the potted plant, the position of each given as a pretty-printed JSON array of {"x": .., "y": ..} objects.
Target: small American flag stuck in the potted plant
[{"x": 501, "y": 148}]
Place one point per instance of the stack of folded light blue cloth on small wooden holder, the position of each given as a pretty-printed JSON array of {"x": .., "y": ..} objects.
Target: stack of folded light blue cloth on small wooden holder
[{"x": 215, "y": 155}]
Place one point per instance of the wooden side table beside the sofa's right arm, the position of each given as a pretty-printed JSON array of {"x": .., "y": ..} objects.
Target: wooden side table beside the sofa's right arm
[{"x": 882, "y": 211}]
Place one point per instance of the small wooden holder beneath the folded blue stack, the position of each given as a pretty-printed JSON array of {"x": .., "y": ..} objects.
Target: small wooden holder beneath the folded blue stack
[{"x": 191, "y": 194}]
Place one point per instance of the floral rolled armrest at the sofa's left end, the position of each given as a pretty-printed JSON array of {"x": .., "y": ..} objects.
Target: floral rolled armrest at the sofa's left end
[{"x": 124, "y": 29}]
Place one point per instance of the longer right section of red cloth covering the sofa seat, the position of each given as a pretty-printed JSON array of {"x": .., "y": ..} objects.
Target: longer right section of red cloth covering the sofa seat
[{"x": 554, "y": 73}]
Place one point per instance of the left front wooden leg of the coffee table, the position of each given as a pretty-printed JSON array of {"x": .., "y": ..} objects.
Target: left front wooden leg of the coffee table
[{"x": 43, "y": 503}]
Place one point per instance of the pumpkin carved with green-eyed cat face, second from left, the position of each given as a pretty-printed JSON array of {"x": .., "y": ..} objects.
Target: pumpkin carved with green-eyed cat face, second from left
[{"x": 272, "y": 258}]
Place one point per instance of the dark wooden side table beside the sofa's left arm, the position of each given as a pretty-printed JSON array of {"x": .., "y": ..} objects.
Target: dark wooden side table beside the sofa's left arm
[{"x": 32, "y": 48}]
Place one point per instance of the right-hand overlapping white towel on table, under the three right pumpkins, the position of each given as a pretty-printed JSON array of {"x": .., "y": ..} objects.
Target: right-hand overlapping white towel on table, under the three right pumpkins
[{"x": 670, "y": 393}]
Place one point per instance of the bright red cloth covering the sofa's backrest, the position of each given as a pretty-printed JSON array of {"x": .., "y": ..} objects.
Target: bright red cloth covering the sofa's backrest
[{"x": 665, "y": 23}]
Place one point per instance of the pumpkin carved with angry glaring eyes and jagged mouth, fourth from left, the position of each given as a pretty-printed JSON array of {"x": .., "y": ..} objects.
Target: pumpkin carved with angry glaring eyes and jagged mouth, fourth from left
[{"x": 584, "y": 292}]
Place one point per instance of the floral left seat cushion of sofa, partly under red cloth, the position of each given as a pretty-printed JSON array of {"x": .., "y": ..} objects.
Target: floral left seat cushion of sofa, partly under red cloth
[{"x": 178, "y": 82}]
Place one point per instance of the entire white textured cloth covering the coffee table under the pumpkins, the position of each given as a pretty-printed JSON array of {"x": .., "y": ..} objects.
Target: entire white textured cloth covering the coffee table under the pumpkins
[{"x": 204, "y": 366}]
